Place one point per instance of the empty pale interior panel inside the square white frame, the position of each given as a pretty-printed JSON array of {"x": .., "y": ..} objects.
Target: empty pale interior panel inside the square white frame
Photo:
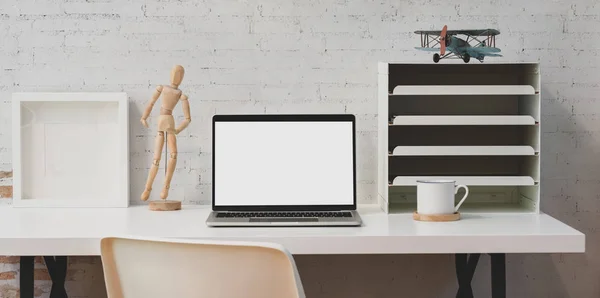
[{"x": 70, "y": 150}]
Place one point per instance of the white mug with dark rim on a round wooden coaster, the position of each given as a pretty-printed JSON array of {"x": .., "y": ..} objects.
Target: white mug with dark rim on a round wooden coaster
[{"x": 437, "y": 196}]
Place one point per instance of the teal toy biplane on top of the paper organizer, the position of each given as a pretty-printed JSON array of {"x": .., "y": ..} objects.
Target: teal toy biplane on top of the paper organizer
[{"x": 478, "y": 44}]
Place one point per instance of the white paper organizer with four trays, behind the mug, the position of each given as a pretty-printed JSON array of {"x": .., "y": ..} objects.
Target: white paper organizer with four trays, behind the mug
[{"x": 477, "y": 124}]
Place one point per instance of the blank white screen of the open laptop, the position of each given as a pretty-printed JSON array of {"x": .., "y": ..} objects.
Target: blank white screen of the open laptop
[{"x": 280, "y": 163}]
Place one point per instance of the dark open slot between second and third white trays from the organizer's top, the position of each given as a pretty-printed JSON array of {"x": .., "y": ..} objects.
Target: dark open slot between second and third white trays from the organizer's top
[{"x": 463, "y": 135}]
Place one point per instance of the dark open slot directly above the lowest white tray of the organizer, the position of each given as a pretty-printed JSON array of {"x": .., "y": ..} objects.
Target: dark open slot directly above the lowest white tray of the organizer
[{"x": 463, "y": 166}]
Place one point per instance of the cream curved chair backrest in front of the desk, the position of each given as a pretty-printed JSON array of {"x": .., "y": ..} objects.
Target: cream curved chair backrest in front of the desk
[{"x": 209, "y": 269}]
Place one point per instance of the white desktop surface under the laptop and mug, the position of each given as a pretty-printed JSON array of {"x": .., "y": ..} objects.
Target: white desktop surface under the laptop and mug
[{"x": 77, "y": 231}]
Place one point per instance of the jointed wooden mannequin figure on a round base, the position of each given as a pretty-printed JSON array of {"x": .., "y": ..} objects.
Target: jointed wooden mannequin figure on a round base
[{"x": 171, "y": 95}]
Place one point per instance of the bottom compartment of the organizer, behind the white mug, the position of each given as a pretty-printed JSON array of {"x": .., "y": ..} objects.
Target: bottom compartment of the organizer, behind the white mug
[{"x": 481, "y": 199}]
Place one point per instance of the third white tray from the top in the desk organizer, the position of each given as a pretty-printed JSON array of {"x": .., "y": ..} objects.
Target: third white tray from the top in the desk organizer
[{"x": 461, "y": 150}]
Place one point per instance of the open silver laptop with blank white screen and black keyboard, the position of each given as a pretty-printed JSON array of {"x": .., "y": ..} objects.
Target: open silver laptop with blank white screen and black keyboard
[{"x": 284, "y": 170}]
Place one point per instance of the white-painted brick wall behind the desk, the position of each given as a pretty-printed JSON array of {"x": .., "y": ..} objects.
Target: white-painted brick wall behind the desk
[{"x": 257, "y": 56}]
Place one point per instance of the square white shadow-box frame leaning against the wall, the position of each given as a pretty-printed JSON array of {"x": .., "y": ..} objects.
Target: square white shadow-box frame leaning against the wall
[{"x": 70, "y": 149}]
